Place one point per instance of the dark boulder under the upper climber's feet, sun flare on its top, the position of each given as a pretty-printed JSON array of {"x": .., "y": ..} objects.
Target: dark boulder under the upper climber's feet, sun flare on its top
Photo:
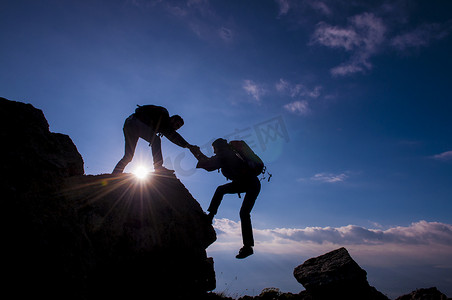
[{"x": 146, "y": 237}]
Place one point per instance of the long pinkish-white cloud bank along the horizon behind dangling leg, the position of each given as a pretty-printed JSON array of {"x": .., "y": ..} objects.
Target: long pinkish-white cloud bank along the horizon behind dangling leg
[{"x": 420, "y": 242}]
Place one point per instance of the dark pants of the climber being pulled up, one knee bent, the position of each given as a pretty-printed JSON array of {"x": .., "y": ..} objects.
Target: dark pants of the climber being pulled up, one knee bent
[{"x": 251, "y": 187}]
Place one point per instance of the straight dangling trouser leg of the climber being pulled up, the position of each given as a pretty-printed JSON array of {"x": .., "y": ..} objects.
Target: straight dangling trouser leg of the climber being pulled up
[{"x": 245, "y": 211}]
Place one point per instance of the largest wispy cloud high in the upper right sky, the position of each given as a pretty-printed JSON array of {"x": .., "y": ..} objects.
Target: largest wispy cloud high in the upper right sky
[{"x": 362, "y": 38}]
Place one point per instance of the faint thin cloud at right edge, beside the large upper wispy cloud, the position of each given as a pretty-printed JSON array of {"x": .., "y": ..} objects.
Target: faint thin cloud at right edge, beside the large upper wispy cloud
[{"x": 422, "y": 36}]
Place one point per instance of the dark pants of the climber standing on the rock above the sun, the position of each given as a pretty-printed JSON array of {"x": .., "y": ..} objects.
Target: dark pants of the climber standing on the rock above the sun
[{"x": 133, "y": 130}]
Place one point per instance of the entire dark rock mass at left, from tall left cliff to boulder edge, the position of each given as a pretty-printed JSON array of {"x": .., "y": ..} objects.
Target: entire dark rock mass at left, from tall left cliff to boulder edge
[{"x": 72, "y": 236}]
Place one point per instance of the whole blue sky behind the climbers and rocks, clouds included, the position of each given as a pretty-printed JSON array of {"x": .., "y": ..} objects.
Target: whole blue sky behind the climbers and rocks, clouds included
[{"x": 347, "y": 102}]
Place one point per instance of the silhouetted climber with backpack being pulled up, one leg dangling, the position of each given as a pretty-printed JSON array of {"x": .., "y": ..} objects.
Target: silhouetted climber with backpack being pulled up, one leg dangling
[{"x": 244, "y": 180}]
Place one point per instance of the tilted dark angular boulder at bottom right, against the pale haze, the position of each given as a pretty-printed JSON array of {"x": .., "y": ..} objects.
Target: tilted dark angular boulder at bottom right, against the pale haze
[{"x": 335, "y": 275}]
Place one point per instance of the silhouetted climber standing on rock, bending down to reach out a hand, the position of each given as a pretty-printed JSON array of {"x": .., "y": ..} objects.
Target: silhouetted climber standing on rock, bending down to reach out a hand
[{"x": 150, "y": 122}]
